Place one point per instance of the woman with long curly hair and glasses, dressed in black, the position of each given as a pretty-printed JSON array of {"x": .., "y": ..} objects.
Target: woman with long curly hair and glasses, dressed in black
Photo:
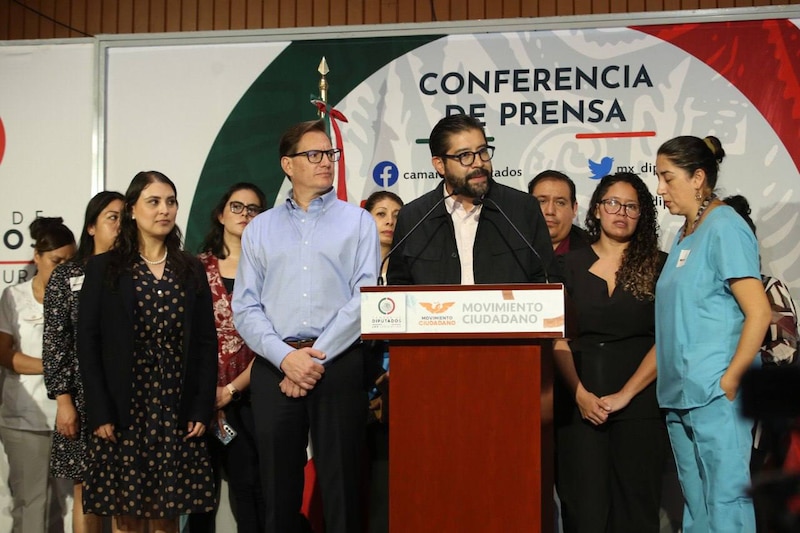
[{"x": 611, "y": 441}]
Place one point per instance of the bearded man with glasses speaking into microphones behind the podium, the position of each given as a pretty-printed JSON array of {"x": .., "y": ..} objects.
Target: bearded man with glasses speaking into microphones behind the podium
[{"x": 470, "y": 229}]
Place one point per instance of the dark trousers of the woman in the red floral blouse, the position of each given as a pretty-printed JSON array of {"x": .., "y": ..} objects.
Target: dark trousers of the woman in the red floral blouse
[{"x": 239, "y": 462}]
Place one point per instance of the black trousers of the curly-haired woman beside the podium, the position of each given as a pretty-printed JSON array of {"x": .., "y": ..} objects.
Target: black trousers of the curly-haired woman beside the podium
[{"x": 609, "y": 477}]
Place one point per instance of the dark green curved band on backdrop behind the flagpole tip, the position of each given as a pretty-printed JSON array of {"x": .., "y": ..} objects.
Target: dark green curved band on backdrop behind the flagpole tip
[{"x": 246, "y": 148}]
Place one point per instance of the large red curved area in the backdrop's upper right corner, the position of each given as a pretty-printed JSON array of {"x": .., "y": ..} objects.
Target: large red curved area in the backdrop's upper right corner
[{"x": 761, "y": 58}]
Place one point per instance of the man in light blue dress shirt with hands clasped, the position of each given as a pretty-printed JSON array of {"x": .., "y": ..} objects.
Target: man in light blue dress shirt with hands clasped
[{"x": 296, "y": 303}]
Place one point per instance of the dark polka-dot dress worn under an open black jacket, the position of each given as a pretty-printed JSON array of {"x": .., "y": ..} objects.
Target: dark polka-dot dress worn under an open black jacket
[{"x": 152, "y": 472}]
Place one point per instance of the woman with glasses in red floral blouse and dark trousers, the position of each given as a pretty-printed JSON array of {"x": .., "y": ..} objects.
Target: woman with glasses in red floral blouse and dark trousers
[{"x": 221, "y": 250}]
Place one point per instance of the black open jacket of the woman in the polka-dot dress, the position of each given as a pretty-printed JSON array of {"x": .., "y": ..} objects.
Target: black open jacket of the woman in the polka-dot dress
[{"x": 105, "y": 347}]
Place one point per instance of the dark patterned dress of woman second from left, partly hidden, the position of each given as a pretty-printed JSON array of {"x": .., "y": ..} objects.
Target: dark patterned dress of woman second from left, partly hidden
[{"x": 60, "y": 360}]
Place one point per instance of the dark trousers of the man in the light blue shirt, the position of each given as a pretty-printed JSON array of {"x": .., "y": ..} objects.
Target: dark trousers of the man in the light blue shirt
[{"x": 335, "y": 413}]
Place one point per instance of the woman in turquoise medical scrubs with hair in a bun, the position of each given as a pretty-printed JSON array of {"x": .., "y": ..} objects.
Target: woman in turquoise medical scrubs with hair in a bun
[{"x": 711, "y": 317}]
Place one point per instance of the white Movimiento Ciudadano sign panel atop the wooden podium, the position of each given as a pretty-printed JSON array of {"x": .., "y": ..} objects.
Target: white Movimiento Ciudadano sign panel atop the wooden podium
[{"x": 483, "y": 310}]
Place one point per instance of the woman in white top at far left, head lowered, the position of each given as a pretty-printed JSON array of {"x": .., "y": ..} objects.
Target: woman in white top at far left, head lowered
[{"x": 27, "y": 415}]
